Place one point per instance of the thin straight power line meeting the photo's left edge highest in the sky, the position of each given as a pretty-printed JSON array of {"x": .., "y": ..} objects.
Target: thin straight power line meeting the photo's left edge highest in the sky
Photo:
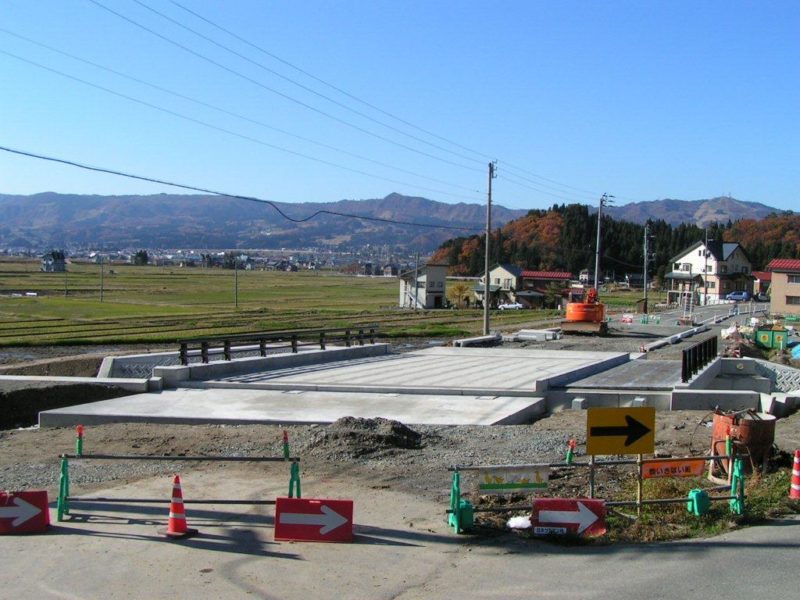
[{"x": 230, "y": 113}]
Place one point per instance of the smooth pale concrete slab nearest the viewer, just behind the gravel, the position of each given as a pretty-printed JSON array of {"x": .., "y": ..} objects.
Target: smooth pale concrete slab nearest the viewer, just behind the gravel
[{"x": 194, "y": 406}]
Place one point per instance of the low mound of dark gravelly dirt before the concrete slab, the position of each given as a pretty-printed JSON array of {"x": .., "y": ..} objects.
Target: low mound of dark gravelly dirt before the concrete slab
[{"x": 355, "y": 437}]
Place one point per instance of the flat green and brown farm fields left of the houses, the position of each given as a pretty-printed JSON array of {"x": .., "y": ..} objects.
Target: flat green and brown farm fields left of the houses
[{"x": 148, "y": 304}]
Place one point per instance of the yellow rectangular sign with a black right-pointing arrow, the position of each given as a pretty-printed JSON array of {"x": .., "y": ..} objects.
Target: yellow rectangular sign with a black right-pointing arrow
[{"x": 620, "y": 430}]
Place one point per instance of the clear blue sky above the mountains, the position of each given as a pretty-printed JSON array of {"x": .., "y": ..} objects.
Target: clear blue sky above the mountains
[{"x": 643, "y": 100}]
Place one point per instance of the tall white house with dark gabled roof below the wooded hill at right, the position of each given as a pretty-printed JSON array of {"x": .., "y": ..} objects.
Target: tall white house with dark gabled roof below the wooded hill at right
[{"x": 708, "y": 272}]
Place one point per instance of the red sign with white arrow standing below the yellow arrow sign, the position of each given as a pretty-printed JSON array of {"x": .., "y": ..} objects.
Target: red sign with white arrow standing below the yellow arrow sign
[{"x": 566, "y": 515}]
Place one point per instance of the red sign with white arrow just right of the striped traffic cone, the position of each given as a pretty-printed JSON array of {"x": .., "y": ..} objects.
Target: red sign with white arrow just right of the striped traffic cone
[{"x": 309, "y": 520}]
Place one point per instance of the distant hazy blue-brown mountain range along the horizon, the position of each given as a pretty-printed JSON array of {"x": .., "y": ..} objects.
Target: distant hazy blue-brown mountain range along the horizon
[{"x": 52, "y": 220}]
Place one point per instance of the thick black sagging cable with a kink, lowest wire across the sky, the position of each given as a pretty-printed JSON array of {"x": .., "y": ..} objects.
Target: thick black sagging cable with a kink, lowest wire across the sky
[{"x": 227, "y": 195}]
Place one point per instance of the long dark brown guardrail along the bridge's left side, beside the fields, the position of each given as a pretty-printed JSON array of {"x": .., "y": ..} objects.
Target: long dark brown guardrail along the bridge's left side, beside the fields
[{"x": 269, "y": 341}]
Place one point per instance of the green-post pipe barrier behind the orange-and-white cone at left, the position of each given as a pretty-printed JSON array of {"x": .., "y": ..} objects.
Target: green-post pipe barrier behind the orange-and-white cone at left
[{"x": 65, "y": 499}]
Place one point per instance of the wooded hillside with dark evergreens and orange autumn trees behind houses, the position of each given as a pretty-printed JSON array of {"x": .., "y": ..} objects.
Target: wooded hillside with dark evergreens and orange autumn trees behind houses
[{"x": 563, "y": 238}]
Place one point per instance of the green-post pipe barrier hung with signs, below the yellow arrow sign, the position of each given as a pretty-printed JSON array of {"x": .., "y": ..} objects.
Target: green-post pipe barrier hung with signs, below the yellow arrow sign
[{"x": 533, "y": 478}]
